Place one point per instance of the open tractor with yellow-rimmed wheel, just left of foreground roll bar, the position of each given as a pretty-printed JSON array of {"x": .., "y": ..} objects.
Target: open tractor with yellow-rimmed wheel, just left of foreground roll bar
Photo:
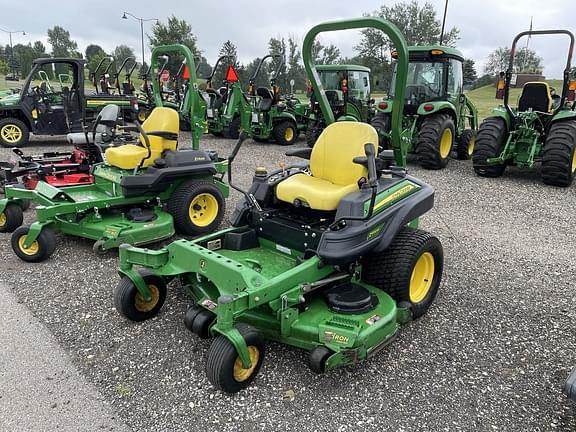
[{"x": 272, "y": 118}]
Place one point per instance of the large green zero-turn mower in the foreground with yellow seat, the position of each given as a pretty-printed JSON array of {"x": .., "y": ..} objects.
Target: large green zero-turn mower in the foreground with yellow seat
[{"x": 323, "y": 255}]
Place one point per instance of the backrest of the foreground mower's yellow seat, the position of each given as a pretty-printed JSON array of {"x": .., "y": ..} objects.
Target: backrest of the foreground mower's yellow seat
[{"x": 336, "y": 147}]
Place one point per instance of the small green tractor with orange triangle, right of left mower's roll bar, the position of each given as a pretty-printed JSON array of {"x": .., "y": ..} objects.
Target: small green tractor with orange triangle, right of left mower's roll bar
[{"x": 226, "y": 103}]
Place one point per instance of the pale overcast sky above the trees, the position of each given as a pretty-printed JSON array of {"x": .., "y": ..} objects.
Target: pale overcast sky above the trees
[{"x": 484, "y": 24}]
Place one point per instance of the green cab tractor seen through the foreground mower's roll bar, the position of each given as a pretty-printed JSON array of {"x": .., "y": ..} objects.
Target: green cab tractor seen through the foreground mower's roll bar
[{"x": 347, "y": 88}]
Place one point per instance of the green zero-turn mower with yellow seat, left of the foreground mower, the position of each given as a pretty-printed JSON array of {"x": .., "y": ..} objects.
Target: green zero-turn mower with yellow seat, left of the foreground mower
[{"x": 142, "y": 193}]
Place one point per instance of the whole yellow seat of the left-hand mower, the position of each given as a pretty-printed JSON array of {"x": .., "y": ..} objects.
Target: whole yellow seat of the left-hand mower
[{"x": 130, "y": 156}]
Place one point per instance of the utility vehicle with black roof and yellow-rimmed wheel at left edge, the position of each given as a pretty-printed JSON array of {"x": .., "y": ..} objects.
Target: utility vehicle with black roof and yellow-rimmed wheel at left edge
[{"x": 46, "y": 106}]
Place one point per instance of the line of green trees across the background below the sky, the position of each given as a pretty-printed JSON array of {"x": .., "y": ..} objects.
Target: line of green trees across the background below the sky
[{"x": 419, "y": 24}]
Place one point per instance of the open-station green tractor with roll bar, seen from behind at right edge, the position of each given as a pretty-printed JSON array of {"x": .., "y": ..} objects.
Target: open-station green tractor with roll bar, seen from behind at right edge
[{"x": 541, "y": 129}]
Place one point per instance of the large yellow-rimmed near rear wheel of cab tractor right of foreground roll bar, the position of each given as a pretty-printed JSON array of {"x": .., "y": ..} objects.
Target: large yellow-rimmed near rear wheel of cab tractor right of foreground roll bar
[{"x": 435, "y": 141}]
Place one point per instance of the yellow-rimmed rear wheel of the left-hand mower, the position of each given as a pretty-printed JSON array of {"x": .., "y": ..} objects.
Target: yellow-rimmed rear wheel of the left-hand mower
[{"x": 197, "y": 207}]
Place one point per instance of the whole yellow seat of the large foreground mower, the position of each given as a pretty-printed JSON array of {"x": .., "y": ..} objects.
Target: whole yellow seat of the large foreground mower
[{"x": 334, "y": 174}]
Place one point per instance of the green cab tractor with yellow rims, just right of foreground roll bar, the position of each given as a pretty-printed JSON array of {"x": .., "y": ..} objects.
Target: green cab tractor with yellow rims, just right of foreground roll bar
[{"x": 438, "y": 117}]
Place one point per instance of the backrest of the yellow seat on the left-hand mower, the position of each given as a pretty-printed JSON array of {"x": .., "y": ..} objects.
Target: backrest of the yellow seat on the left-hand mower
[{"x": 161, "y": 119}]
